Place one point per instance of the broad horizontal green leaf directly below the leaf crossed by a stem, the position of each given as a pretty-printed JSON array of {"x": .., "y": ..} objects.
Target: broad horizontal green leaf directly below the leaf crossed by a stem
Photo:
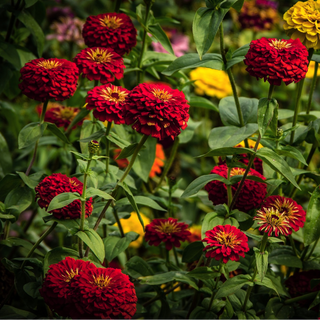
[{"x": 230, "y": 136}]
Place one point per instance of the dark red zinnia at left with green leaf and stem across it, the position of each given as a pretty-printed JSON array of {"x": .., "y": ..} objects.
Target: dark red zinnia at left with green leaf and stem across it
[{"x": 58, "y": 183}]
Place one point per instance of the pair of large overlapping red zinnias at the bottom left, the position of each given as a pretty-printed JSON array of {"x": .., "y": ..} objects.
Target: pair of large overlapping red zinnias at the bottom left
[{"x": 80, "y": 290}]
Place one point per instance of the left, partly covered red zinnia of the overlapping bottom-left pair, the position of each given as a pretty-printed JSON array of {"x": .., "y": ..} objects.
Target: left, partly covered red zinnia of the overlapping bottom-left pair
[{"x": 60, "y": 283}]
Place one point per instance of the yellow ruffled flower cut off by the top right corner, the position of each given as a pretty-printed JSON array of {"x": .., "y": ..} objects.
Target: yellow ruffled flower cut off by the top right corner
[{"x": 302, "y": 21}]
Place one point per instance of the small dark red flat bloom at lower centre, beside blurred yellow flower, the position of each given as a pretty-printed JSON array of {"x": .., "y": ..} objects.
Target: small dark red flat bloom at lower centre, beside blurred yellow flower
[{"x": 168, "y": 231}]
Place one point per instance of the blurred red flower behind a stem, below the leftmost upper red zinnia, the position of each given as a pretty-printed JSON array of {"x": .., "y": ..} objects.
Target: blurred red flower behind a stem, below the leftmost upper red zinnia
[{"x": 60, "y": 115}]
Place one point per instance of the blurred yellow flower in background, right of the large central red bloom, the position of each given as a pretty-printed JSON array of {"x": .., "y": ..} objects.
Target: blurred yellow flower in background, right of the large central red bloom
[{"x": 213, "y": 83}]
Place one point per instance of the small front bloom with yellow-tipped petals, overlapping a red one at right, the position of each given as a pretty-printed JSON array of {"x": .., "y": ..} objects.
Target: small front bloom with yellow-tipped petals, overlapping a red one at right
[{"x": 271, "y": 220}]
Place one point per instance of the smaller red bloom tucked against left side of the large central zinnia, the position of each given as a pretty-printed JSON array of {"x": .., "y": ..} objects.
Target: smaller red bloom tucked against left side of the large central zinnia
[{"x": 108, "y": 102}]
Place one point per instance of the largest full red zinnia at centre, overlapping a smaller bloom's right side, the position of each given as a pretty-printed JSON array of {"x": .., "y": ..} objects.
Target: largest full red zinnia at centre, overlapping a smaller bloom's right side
[{"x": 157, "y": 110}]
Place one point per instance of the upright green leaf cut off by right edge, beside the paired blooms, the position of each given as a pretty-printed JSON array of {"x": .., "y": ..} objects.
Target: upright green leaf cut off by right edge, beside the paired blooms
[{"x": 312, "y": 227}]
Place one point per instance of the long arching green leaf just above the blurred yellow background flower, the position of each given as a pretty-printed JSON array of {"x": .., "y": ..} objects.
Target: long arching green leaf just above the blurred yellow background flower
[{"x": 192, "y": 60}]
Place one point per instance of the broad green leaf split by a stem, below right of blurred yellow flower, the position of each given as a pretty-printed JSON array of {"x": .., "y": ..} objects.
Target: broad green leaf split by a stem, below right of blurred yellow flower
[{"x": 229, "y": 114}]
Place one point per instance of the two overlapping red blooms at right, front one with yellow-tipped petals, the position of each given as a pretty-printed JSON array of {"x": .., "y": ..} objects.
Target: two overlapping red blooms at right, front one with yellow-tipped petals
[{"x": 280, "y": 215}]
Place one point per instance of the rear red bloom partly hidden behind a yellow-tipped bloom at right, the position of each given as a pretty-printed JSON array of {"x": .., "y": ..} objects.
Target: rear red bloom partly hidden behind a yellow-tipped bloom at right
[{"x": 292, "y": 211}]
